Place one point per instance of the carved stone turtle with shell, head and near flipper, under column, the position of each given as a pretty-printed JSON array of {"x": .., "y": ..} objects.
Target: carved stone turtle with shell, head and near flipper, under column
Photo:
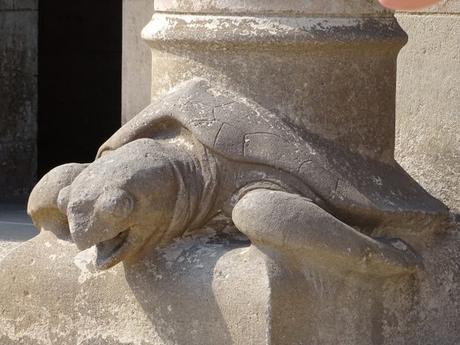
[{"x": 201, "y": 150}]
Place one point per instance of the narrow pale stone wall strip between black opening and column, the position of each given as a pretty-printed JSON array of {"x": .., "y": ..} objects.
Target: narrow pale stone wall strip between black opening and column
[{"x": 136, "y": 69}]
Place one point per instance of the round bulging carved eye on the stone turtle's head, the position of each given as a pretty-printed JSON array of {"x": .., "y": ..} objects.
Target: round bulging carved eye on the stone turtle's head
[{"x": 115, "y": 203}]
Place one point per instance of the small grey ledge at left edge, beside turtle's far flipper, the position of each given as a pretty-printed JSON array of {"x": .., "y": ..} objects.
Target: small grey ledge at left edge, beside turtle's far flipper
[{"x": 15, "y": 227}]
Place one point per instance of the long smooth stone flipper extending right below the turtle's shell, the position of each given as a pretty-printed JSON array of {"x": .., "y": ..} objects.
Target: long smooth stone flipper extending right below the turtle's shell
[{"x": 298, "y": 228}]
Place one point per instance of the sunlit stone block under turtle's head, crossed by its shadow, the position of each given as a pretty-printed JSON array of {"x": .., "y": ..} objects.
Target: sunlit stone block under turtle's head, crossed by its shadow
[{"x": 123, "y": 306}]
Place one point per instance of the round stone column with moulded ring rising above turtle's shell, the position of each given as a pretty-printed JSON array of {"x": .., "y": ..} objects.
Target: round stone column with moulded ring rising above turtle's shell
[{"x": 328, "y": 65}]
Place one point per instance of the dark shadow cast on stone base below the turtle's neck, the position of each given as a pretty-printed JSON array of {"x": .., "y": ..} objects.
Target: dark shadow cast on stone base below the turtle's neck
[{"x": 175, "y": 287}]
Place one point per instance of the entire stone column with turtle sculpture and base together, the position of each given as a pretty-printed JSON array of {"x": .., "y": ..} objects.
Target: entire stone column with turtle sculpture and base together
[{"x": 321, "y": 237}]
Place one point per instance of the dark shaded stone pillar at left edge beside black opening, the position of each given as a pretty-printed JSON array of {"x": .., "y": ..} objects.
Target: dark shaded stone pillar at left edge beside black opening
[{"x": 18, "y": 97}]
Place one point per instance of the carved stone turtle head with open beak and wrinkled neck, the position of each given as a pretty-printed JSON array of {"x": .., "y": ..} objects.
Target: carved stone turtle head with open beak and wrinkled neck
[{"x": 123, "y": 203}]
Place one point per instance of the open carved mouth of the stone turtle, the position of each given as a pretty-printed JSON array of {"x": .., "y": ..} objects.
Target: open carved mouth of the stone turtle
[{"x": 111, "y": 252}]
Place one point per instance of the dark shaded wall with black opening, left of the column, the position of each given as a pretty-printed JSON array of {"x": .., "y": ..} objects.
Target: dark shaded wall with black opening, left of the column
[{"x": 73, "y": 48}]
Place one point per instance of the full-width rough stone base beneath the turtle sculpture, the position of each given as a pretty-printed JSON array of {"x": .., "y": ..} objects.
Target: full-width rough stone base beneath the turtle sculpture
[{"x": 208, "y": 290}]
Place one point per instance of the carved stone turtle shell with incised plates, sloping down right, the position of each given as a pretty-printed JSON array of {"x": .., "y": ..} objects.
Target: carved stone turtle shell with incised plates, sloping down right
[{"x": 357, "y": 189}]
